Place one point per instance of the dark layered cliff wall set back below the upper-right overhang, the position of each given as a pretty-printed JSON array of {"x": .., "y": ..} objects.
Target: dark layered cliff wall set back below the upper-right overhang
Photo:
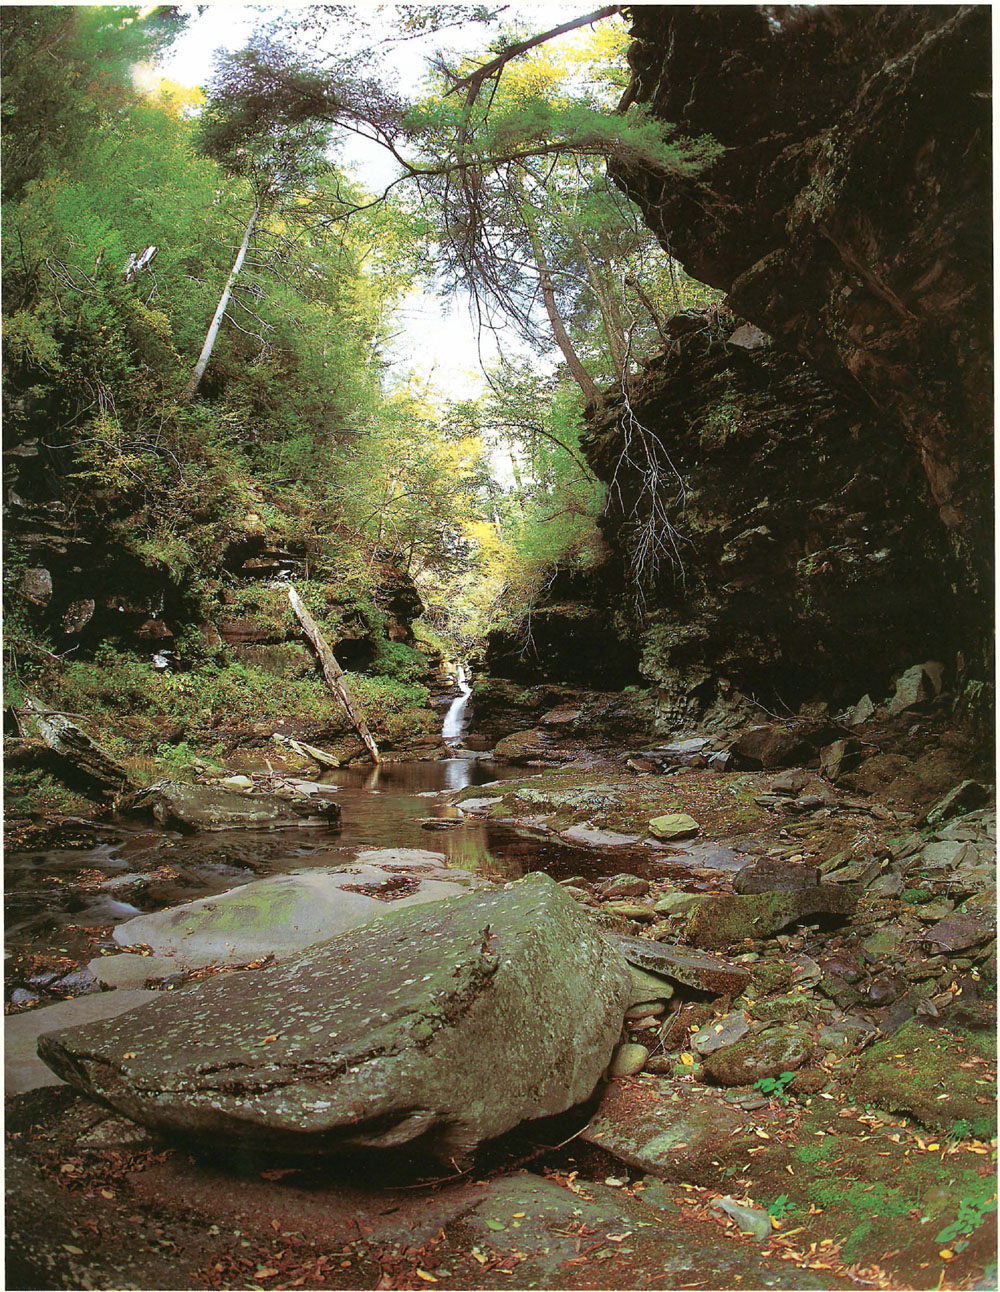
[{"x": 809, "y": 563}]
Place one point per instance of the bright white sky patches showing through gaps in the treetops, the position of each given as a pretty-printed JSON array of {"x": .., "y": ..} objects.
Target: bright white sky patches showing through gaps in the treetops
[{"x": 437, "y": 342}]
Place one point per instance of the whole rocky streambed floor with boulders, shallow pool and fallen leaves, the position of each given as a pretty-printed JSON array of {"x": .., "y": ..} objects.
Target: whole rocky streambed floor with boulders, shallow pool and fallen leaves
[{"x": 741, "y": 1034}]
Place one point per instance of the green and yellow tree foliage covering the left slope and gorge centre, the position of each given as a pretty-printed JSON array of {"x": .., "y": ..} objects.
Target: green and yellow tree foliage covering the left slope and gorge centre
[{"x": 299, "y": 440}]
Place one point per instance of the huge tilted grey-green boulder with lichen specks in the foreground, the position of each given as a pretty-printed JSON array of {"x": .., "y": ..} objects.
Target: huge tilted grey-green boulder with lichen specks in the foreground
[{"x": 452, "y": 1023}]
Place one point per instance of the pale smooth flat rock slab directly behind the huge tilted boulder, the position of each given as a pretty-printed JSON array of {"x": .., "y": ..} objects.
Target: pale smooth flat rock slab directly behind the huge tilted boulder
[{"x": 285, "y": 914}]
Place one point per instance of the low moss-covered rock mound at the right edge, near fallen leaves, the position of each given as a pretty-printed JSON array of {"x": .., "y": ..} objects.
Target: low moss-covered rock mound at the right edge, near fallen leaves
[{"x": 945, "y": 1078}]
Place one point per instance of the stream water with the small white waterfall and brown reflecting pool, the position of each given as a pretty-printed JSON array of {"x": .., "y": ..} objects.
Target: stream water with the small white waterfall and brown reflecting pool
[{"x": 59, "y": 901}]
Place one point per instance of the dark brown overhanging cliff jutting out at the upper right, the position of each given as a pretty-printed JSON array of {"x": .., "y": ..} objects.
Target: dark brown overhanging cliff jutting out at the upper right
[{"x": 849, "y": 218}]
